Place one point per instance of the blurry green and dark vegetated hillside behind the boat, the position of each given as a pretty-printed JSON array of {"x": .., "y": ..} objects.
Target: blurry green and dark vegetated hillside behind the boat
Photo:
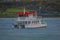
[{"x": 48, "y": 8}]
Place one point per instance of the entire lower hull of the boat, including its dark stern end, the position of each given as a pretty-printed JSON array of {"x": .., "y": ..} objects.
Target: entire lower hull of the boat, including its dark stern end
[{"x": 31, "y": 26}]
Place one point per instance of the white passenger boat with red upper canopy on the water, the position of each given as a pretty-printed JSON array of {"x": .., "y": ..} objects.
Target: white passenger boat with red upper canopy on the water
[{"x": 28, "y": 19}]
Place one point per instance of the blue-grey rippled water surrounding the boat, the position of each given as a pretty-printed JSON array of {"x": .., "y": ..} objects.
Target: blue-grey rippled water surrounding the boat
[{"x": 51, "y": 32}]
